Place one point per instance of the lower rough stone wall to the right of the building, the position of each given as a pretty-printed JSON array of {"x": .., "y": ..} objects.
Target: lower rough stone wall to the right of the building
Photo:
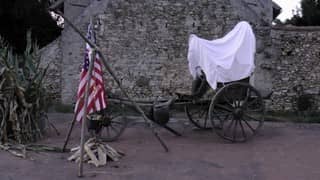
[{"x": 297, "y": 64}]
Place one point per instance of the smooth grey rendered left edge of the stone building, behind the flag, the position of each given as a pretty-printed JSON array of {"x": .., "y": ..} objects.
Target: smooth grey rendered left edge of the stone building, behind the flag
[{"x": 72, "y": 46}]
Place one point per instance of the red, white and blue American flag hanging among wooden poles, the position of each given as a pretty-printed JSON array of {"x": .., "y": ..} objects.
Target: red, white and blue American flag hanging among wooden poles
[{"x": 96, "y": 100}]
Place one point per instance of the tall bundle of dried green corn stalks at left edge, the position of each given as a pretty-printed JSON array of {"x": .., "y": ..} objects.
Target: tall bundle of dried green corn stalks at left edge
[{"x": 22, "y": 94}]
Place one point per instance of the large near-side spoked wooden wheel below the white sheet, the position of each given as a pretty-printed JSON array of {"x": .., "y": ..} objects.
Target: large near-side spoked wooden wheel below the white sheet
[{"x": 237, "y": 112}]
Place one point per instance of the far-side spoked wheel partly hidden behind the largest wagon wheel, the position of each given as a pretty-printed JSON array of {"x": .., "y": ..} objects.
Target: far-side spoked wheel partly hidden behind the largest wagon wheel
[{"x": 197, "y": 113}]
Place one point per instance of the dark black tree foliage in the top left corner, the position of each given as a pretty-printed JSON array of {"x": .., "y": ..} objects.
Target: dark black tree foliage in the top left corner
[{"x": 19, "y": 16}]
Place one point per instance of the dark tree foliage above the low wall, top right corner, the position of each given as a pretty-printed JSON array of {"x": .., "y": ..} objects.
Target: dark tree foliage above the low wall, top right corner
[{"x": 308, "y": 15}]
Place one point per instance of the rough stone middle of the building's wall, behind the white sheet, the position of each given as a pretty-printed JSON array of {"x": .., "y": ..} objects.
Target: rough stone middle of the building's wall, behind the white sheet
[{"x": 146, "y": 41}]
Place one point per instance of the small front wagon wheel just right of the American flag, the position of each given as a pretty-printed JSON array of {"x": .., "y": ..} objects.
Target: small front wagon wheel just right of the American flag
[{"x": 113, "y": 123}]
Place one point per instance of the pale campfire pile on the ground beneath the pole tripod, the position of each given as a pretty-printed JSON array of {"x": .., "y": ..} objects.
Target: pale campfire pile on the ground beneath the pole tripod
[{"x": 96, "y": 153}]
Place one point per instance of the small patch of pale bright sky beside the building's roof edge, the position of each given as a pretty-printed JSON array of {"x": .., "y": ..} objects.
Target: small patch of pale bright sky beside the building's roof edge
[{"x": 287, "y": 7}]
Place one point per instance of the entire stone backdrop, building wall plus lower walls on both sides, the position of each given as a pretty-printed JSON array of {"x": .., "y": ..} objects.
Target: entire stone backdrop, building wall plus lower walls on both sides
[{"x": 145, "y": 42}]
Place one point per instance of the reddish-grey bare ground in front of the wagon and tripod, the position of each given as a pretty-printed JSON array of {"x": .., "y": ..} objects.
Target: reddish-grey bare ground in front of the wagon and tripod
[{"x": 281, "y": 151}]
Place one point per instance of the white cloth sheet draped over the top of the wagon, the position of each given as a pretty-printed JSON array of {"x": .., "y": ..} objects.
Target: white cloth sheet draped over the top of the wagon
[{"x": 227, "y": 59}]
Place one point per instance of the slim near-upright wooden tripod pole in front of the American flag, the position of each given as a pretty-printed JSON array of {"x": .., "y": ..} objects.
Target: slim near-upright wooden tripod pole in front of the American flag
[{"x": 84, "y": 117}]
